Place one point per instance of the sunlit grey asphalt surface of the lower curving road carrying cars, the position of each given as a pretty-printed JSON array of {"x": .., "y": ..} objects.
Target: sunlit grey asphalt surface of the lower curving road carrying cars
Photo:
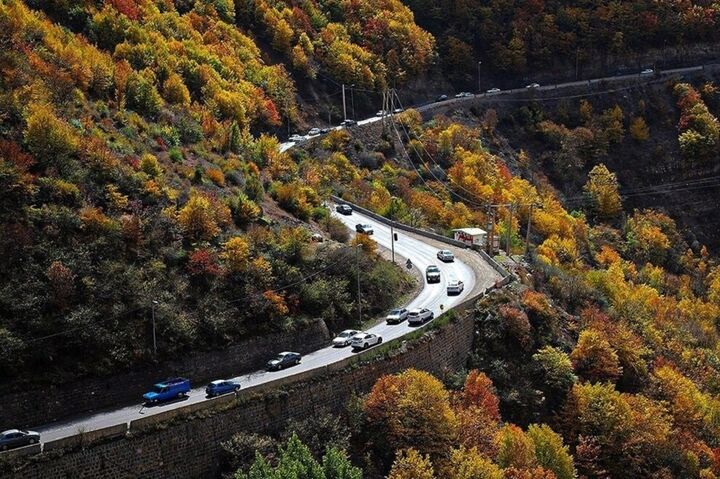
[{"x": 422, "y": 253}]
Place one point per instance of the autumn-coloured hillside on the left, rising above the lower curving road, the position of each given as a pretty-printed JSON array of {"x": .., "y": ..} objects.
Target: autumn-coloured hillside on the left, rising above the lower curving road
[{"x": 130, "y": 180}]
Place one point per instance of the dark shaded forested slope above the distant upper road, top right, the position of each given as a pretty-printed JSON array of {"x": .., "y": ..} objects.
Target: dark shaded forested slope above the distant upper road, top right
[{"x": 524, "y": 37}]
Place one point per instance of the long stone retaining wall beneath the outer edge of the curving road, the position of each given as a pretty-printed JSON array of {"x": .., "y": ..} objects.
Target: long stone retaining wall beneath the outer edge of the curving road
[{"x": 189, "y": 447}]
